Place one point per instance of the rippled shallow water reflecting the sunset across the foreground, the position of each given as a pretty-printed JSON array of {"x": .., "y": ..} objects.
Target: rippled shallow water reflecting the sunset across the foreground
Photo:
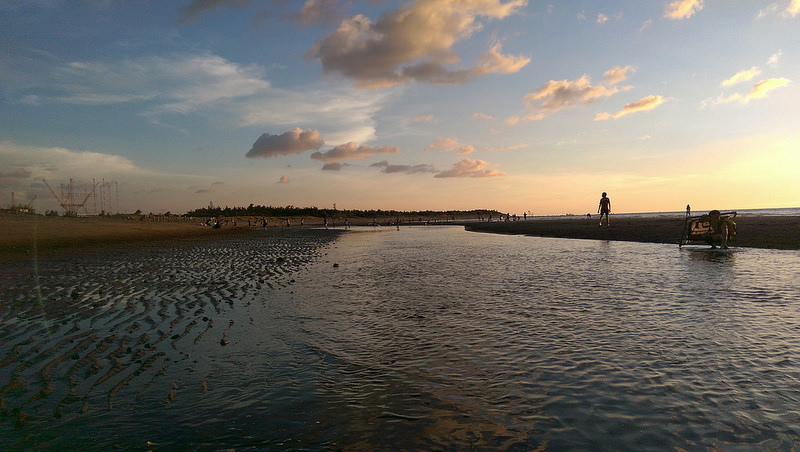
[{"x": 429, "y": 338}]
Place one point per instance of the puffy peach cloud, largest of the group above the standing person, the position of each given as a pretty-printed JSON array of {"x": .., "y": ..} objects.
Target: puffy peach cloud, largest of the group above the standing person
[{"x": 563, "y": 94}]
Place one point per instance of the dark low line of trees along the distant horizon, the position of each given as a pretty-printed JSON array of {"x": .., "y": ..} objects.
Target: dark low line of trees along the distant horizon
[{"x": 292, "y": 211}]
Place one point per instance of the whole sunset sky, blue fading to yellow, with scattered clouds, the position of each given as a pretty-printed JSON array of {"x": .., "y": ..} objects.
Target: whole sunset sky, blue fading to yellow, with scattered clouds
[{"x": 521, "y": 106}]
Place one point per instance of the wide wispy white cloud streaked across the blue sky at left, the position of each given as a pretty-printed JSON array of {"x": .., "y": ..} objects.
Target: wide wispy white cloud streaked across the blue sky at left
[{"x": 234, "y": 95}]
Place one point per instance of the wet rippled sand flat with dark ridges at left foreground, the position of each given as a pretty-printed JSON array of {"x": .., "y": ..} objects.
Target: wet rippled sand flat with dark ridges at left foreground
[{"x": 79, "y": 331}]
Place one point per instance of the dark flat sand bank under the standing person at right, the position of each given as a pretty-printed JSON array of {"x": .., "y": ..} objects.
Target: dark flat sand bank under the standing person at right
[{"x": 773, "y": 232}]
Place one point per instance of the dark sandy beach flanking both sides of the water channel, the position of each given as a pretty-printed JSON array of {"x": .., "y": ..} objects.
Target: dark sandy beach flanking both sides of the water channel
[{"x": 22, "y": 233}]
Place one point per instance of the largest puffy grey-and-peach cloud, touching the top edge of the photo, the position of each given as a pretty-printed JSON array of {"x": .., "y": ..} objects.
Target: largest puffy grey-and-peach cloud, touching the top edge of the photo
[{"x": 414, "y": 43}]
